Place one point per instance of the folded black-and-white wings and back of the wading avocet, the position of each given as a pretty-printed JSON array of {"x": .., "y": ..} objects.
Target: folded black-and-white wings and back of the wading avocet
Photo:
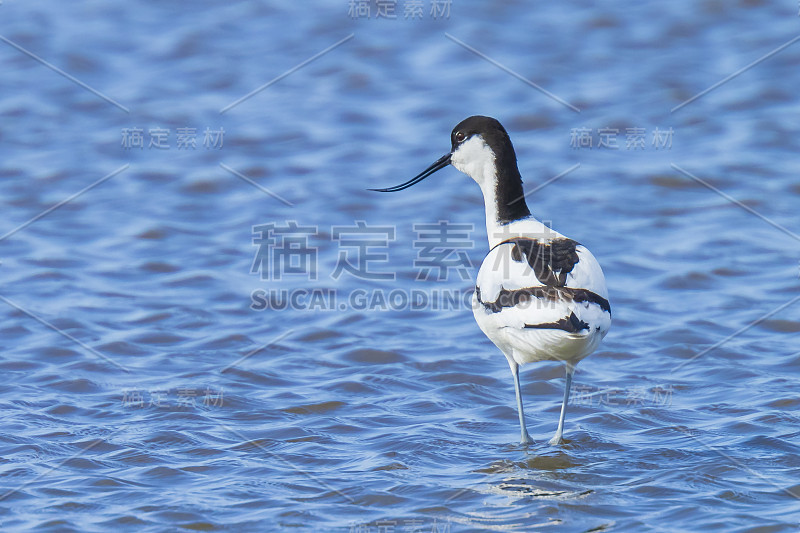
[{"x": 537, "y": 294}]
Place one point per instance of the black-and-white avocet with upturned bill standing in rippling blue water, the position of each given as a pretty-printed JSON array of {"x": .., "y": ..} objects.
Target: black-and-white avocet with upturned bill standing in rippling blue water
[{"x": 539, "y": 296}]
